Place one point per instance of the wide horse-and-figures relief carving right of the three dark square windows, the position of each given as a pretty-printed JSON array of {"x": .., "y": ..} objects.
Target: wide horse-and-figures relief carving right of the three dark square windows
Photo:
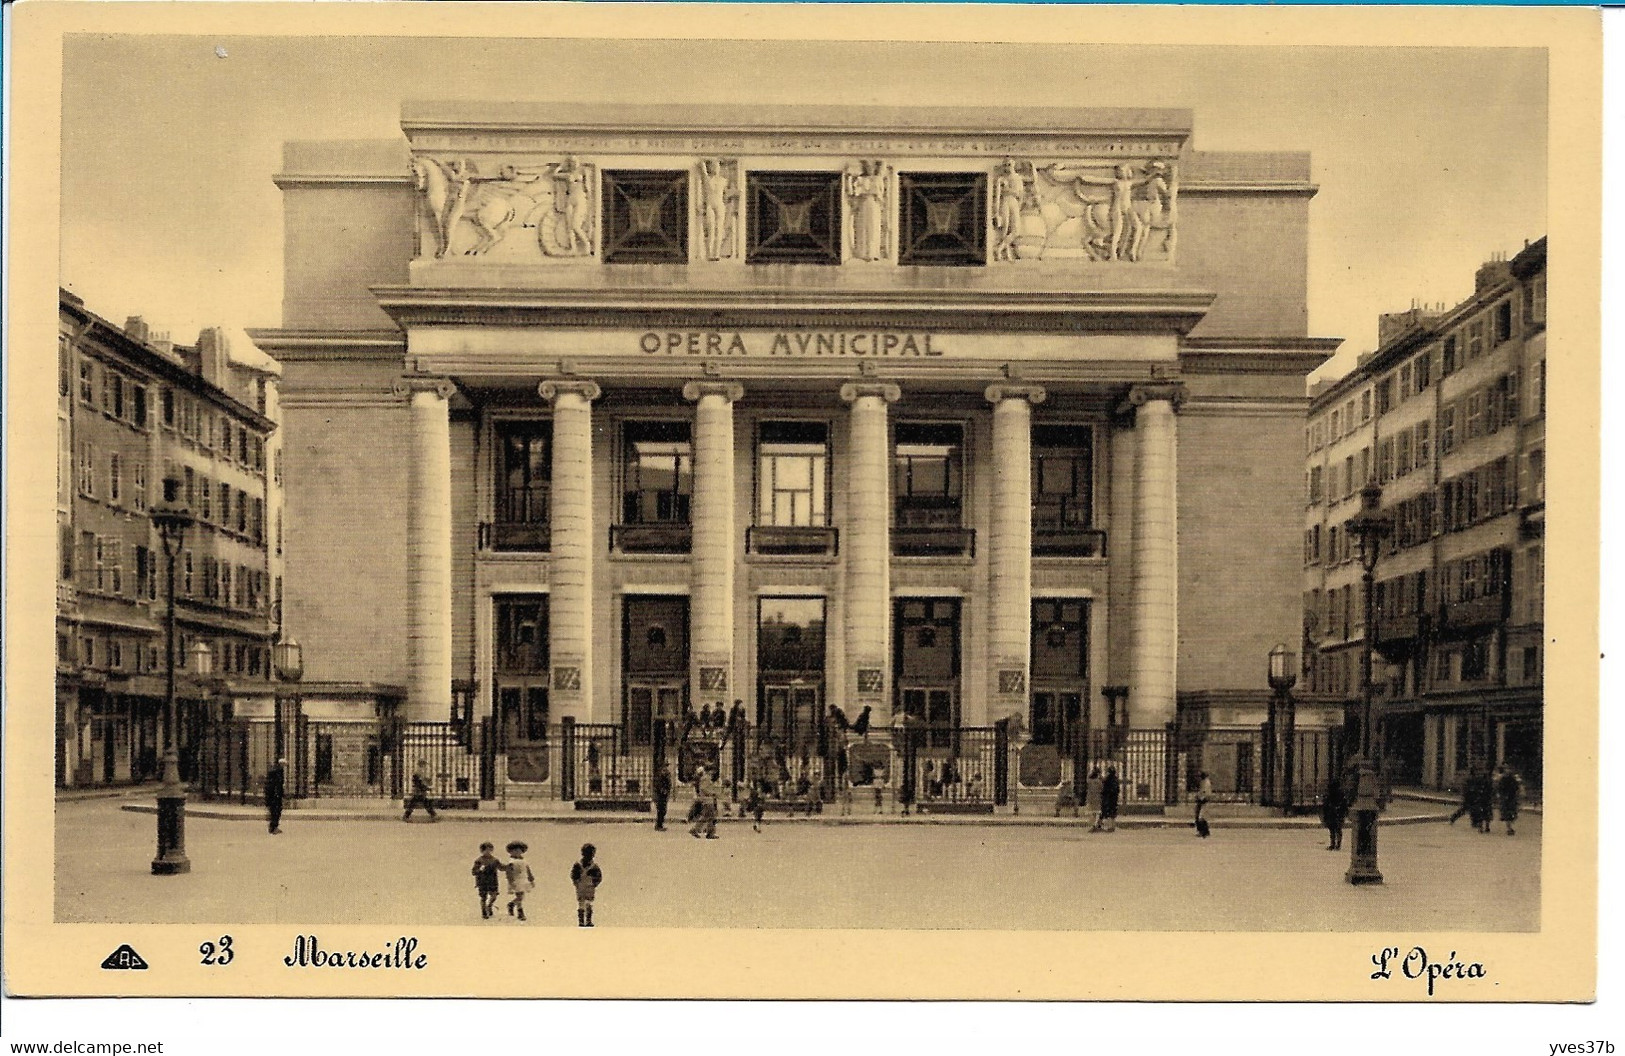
[{"x": 1125, "y": 212}]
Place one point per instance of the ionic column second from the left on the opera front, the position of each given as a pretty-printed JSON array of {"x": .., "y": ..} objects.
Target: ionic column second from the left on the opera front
[{"x": 571, "y": 568}]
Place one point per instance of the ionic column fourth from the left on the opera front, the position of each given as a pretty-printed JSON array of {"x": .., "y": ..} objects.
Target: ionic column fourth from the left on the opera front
[{"x": 869, "y": 552}]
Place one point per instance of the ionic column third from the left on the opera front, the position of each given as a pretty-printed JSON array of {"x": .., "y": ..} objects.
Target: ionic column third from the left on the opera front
[{"x": 714, "y": 548}]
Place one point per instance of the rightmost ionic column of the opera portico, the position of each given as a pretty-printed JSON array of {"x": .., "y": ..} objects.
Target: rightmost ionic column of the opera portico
[{"x": 1156, "y": 576}]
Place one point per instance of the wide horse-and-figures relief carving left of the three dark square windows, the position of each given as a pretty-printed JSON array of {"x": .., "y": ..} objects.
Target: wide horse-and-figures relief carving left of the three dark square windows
[{"x": 470, "y": 214}]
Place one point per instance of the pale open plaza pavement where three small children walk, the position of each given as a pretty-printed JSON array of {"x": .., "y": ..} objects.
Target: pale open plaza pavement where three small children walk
[{"x": 1007, "y": 873}]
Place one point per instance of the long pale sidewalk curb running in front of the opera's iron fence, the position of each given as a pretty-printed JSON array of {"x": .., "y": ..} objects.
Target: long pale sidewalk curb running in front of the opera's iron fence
[{"x": 851, "y": 821}]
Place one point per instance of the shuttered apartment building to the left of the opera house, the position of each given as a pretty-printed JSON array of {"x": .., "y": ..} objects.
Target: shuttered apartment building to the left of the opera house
[{"x": 134, "y": 409}]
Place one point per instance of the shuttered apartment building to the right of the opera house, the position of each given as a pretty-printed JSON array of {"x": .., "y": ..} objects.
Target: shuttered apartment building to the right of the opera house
[{"x": 1449, "y": 417}]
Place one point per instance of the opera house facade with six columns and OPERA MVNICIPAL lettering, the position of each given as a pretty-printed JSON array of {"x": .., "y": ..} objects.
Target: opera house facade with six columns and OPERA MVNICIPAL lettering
[{"x": 605, "y": 413}]
